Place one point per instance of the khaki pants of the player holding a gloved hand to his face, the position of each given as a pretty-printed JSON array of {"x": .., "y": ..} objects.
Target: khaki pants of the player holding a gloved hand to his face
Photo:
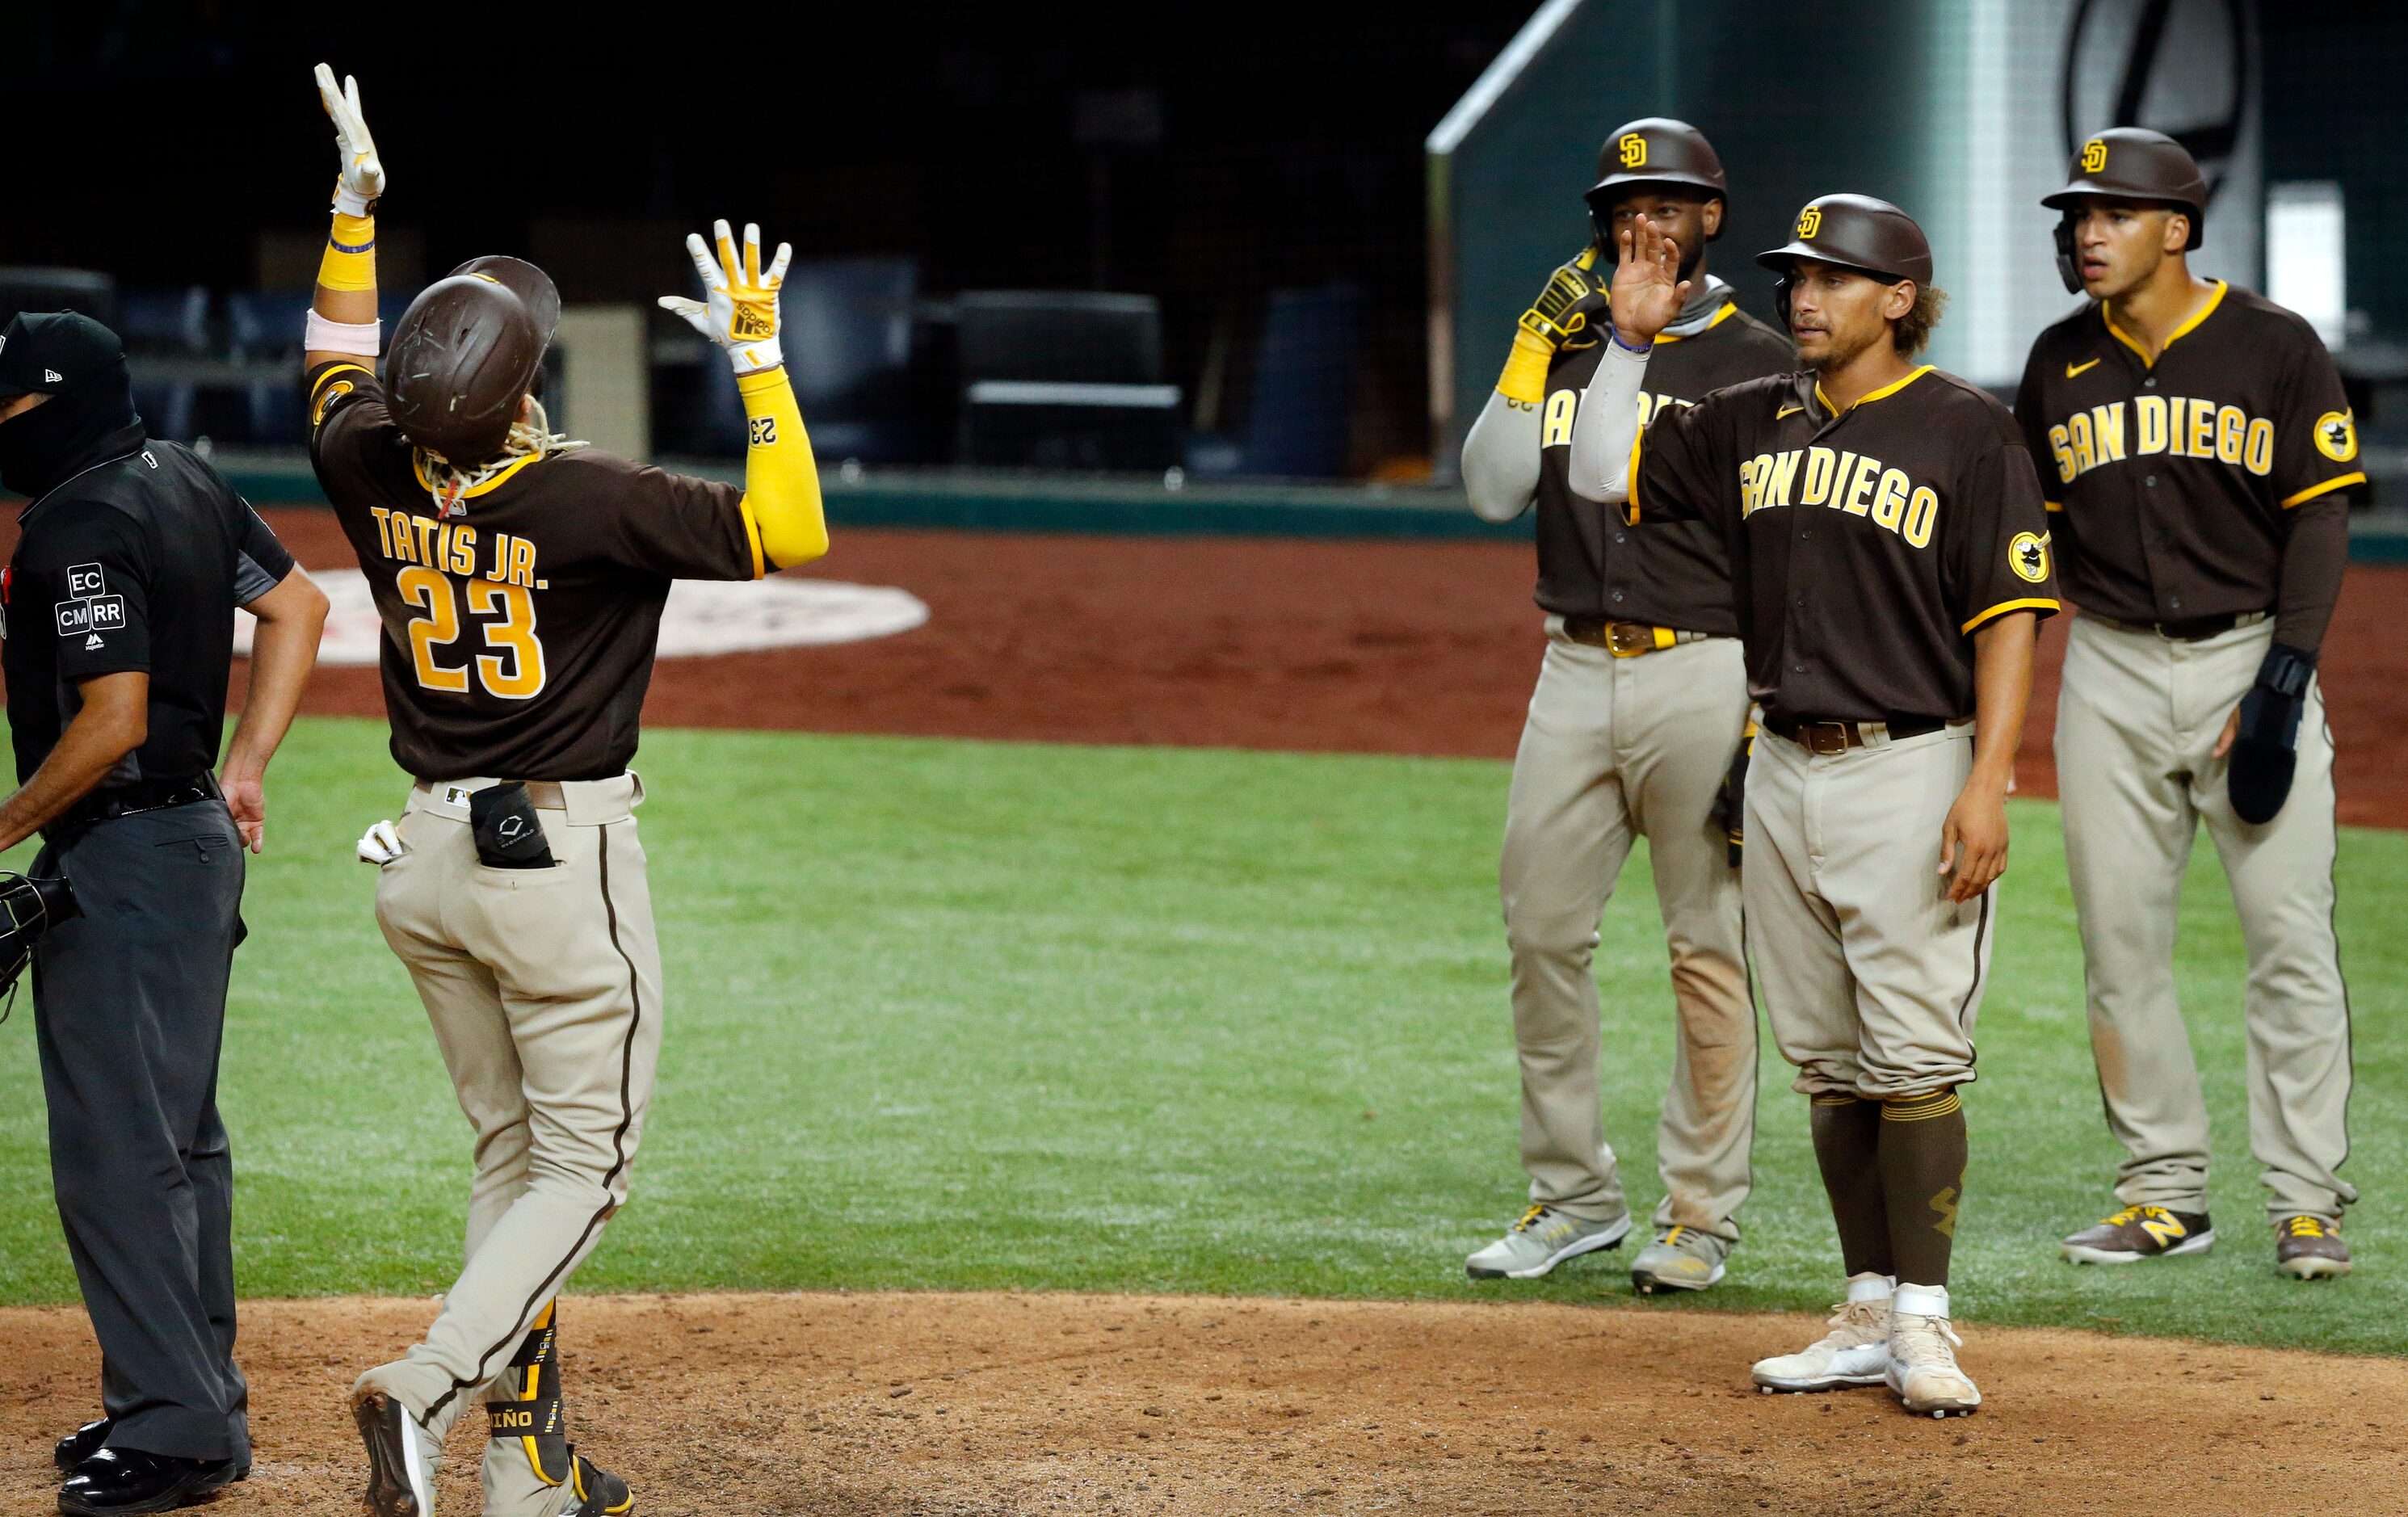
[{"x": 1622, "y": 748}]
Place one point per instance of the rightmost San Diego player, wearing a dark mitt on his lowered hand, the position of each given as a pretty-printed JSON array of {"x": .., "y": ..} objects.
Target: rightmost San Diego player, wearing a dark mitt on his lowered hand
[{"x": 2197, "y": 454}]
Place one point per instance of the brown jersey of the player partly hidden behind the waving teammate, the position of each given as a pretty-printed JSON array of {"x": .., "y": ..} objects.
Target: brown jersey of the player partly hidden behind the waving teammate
[{"x": 1590, "y": 565}]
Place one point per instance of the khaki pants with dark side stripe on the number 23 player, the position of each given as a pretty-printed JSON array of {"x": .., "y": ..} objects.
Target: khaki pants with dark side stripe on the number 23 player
[{"x": 543, "y": 988}]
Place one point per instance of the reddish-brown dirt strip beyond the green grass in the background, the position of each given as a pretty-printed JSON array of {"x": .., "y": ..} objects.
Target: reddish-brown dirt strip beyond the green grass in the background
[{"x": 1273, "y": 644}]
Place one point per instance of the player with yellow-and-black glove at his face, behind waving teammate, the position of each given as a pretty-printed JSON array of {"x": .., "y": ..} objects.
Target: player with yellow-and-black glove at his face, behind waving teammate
[{"x": 1639, "y": 709}]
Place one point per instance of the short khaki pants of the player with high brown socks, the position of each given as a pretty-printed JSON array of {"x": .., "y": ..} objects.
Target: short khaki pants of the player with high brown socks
[{"x": 1872, "y": 976}]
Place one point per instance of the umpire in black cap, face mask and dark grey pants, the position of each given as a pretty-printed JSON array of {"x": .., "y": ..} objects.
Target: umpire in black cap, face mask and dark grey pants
[{"x": 119, "y": 610}]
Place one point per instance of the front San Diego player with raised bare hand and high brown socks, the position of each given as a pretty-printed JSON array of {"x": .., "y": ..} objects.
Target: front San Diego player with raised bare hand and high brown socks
[{"x": 1889, "y": 562}]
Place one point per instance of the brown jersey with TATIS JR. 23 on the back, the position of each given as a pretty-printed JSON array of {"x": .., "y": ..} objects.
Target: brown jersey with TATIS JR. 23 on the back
[{"x": 521, "y": 627}]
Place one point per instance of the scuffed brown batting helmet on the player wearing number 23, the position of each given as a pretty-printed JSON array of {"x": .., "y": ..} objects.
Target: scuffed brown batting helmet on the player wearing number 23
[{"x": 466, "y": 355}]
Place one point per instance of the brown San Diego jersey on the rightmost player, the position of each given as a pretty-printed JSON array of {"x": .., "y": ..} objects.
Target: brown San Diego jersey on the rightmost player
[{"x": 2168, "y": 480}]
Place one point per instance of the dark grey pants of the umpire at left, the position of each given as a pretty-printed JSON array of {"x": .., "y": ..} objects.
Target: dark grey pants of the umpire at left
[{"x": 131, "y": 1005}]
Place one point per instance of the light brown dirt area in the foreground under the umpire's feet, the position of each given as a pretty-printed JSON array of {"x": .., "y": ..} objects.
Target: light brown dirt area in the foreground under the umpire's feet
[{"x": 967, "y": 1405}]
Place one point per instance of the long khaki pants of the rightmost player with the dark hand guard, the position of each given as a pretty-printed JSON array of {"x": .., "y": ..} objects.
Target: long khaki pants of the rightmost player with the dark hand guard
[{"x": 2137, "y": 726}]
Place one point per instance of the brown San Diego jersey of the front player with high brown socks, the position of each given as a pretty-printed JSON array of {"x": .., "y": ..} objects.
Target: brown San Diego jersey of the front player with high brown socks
[{"x": 1865, "y": 545}]
